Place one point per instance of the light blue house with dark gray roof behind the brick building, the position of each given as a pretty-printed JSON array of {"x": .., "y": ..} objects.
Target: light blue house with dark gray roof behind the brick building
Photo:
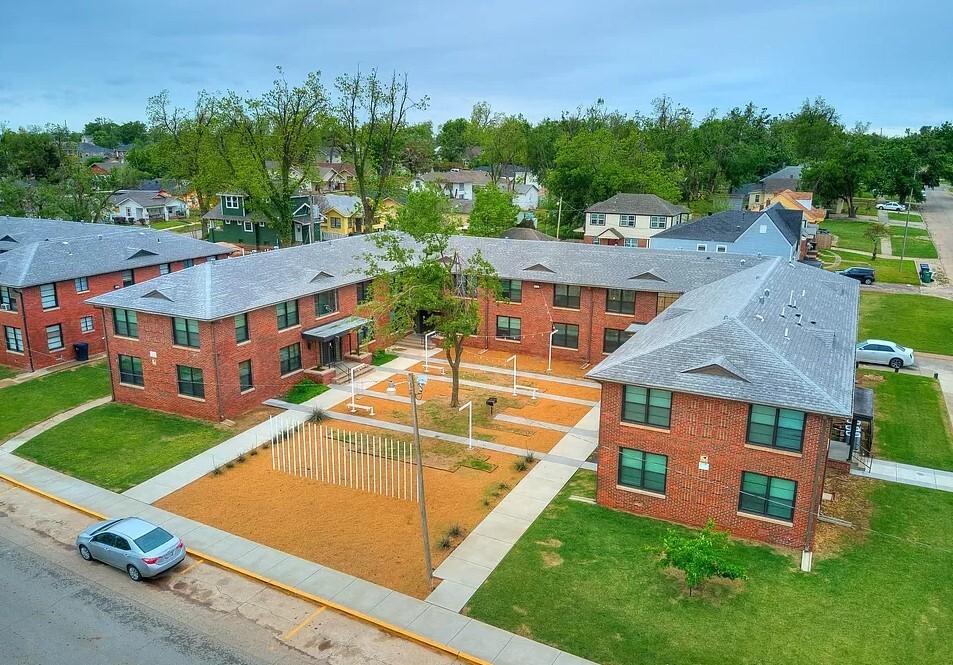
[{"x": 772, "y": 232}]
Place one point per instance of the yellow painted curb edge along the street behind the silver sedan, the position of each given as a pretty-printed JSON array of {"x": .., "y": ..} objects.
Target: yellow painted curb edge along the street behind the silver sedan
[{"x": 360, "y": 616}]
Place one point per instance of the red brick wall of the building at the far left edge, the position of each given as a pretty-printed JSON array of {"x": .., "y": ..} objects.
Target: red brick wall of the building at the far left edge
[{"x": 72, "y": 308}]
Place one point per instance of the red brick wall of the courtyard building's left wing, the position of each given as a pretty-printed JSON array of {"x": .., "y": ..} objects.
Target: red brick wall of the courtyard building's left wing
[{"x": 223, "y": 397}]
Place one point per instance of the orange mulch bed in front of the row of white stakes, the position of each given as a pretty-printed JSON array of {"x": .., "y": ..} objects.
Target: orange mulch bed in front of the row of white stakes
[{"x": 370, "y": 536}]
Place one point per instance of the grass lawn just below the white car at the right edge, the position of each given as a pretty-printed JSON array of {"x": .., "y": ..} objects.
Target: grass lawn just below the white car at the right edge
[{"x": 911, "y": 424}]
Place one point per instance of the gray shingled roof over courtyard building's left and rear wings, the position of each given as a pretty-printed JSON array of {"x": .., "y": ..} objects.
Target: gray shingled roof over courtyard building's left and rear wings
[{"x": 226, "y": 288}]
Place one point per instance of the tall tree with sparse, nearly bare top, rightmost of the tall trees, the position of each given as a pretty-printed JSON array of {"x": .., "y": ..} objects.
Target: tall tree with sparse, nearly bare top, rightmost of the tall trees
[{"x": 369, "y": 115}]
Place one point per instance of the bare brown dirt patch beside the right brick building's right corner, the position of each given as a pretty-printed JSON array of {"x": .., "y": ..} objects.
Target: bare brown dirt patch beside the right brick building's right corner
[{"x": 850, "y": 501}]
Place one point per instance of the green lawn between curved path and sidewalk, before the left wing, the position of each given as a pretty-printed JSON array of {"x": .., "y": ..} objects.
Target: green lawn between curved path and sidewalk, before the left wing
[{"x": 117, "y": 446}]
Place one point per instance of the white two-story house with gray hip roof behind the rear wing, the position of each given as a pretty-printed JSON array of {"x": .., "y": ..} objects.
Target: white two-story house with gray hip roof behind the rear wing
[{"x": 629, "y": 220}]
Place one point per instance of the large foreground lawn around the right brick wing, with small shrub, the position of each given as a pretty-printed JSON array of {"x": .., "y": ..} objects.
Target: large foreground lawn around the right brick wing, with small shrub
[{"x": 583, "y": 578}]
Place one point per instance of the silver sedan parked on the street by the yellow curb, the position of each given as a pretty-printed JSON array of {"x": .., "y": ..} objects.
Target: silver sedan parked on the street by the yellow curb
[{"x": 140, "y": 548}]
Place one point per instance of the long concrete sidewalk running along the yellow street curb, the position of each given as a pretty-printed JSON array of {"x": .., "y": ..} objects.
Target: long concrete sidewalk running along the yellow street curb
[{"x": 350, "y": 594}]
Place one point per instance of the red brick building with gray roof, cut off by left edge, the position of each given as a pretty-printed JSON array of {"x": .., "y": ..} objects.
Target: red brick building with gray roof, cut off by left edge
[{"x": 49, "y": 268}]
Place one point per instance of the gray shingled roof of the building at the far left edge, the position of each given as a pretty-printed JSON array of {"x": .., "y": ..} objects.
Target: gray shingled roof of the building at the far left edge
[{"x": 45, "y": 251}]
